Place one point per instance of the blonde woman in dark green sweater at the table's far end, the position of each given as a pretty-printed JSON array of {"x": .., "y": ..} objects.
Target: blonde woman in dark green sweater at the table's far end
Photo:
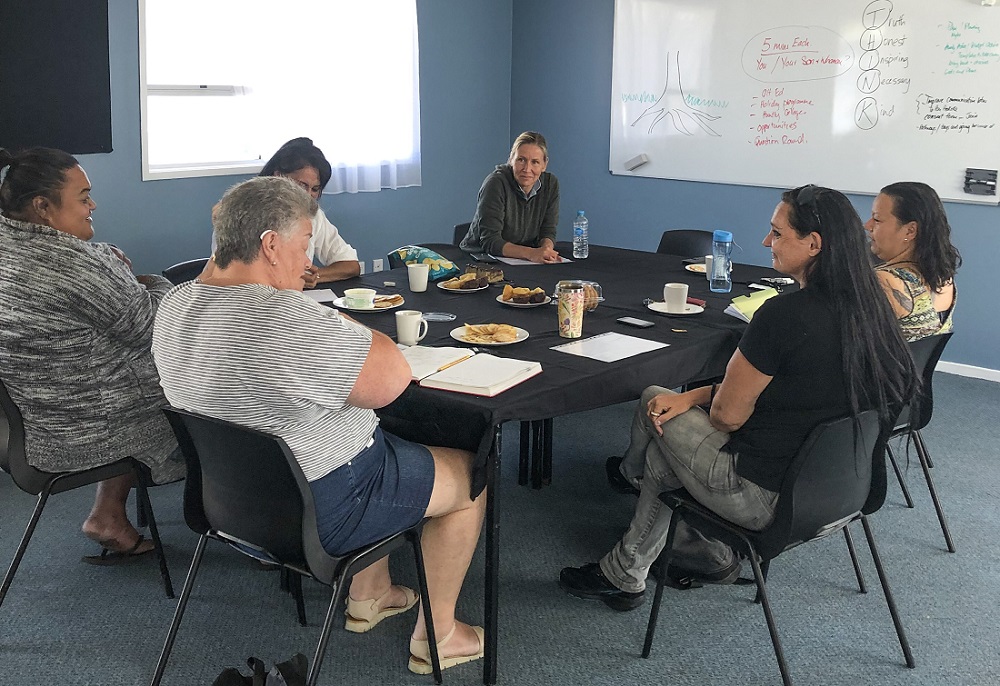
[{"x": 518, "y": 209}]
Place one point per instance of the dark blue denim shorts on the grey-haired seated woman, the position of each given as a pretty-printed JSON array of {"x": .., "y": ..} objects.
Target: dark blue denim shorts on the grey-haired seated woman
[{"x": 384, "y": 489}]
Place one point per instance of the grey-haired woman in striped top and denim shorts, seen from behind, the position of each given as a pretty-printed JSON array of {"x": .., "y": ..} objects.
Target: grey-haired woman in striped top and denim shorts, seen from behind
[{"x": 244, "y": 344}]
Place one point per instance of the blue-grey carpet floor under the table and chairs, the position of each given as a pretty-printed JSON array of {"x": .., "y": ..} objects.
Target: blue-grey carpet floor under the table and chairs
[{"x": 65, "y": 622}]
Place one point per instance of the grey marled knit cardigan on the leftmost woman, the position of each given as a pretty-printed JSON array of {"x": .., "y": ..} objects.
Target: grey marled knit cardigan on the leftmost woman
[{"x": 75, "y": 335}]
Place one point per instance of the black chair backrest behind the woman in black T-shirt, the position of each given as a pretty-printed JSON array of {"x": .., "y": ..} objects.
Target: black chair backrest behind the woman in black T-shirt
[{"x": 827, "y": 483}]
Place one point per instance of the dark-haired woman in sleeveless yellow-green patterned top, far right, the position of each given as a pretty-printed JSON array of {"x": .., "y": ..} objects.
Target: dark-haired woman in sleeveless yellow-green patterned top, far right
[{"x": 911, "y": 237}]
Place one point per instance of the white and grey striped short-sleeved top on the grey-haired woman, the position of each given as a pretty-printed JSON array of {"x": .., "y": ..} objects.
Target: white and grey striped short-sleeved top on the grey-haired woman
[{"x": 272, "y": 360}]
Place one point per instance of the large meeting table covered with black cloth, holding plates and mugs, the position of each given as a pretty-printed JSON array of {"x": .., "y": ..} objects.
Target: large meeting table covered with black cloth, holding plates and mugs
[{"x": 698, "y": 348}]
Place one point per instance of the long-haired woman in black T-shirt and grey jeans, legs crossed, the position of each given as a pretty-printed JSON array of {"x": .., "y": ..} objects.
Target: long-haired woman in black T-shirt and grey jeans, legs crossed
[{"x": 830, "y": 349}]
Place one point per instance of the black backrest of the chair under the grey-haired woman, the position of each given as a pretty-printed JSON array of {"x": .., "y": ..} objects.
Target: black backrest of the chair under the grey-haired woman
[{"x": 246, "y": 485}]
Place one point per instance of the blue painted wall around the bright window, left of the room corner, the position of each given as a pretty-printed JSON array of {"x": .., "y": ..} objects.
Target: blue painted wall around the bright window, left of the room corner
[{"x": 465, "y": 55}]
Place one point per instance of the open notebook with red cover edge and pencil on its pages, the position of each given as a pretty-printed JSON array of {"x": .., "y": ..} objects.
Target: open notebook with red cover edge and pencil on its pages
[{"x": 459, "y": 370}]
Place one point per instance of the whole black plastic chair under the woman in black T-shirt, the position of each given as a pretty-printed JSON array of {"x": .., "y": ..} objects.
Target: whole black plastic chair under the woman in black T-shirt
[{"x": 837, "y": 477}]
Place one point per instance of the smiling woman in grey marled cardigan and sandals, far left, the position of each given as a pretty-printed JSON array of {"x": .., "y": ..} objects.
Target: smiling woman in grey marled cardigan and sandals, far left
[{"x": 75, "y": 334}]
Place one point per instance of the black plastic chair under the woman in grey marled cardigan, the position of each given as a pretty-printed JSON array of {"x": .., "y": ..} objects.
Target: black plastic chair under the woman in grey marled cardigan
[{"x": 13, "y": 460}]
